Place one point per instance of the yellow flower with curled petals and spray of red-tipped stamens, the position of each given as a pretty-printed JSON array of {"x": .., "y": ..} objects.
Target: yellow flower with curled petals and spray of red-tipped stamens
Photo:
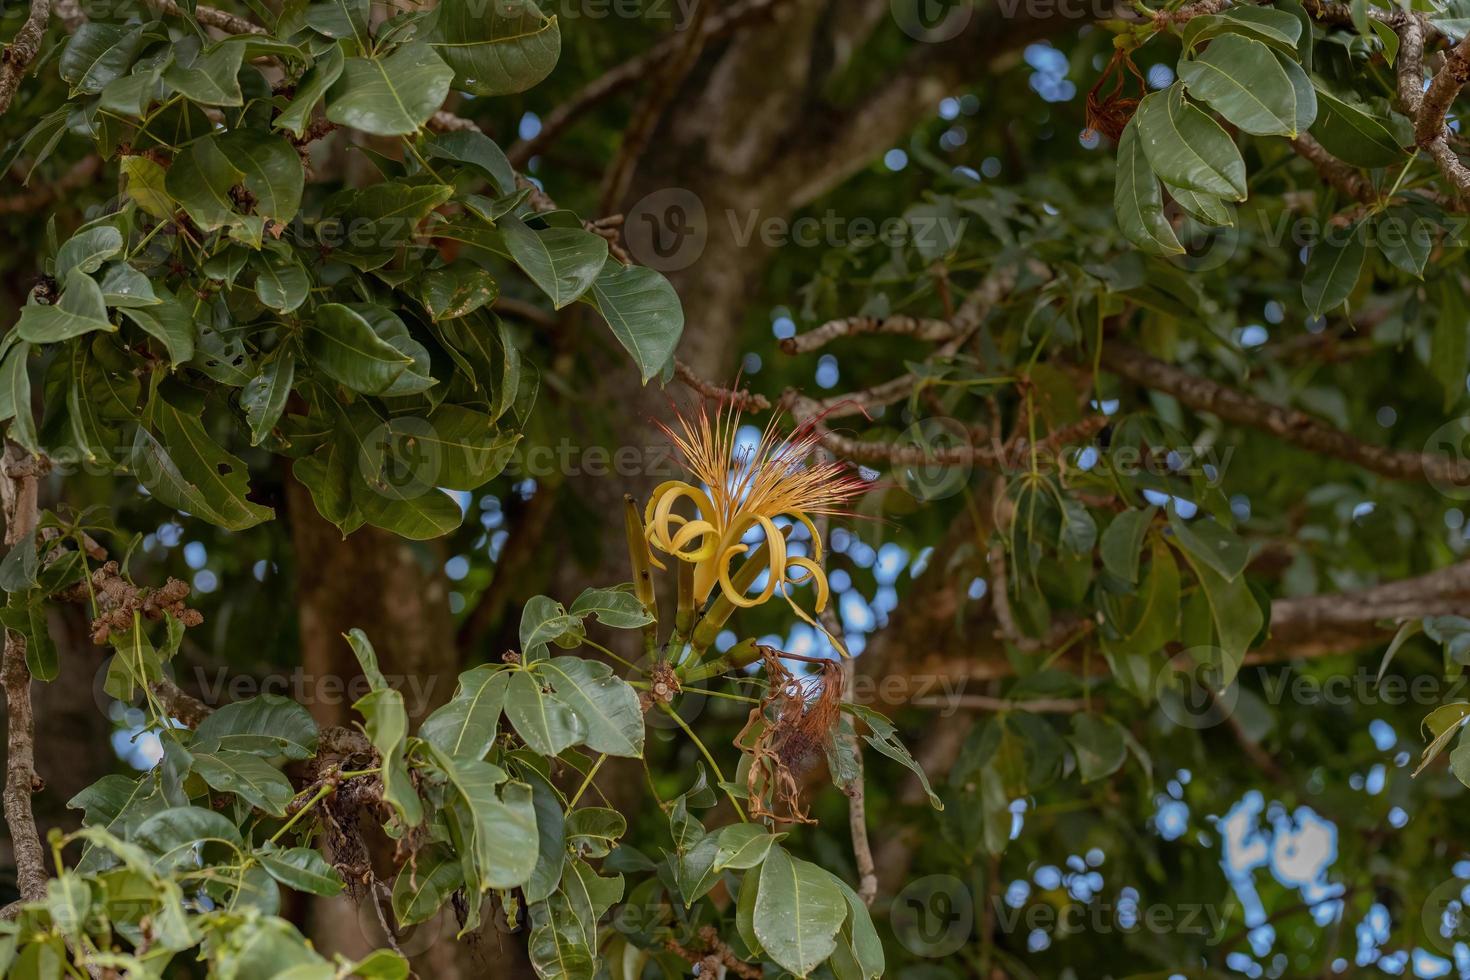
[{"x": 746, "y": 490}]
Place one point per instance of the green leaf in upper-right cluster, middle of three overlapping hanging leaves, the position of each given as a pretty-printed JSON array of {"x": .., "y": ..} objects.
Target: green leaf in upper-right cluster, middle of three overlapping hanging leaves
[{"x": 1187, "y": 148}]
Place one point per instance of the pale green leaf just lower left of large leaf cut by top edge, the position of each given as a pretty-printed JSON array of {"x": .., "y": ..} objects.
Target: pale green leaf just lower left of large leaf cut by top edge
[{"x": 390, "y": 96}]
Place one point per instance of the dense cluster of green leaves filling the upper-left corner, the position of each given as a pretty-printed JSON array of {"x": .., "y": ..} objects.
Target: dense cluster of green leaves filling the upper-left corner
[{"x": 226, "y": 300}]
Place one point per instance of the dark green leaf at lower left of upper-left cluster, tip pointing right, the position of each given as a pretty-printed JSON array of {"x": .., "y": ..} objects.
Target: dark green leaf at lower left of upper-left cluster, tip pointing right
[{"x": 189, "y": 472}]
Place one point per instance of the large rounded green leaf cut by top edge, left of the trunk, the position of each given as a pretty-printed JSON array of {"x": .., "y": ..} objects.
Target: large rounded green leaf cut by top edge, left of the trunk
[{"x": 501, "y": 51}]
